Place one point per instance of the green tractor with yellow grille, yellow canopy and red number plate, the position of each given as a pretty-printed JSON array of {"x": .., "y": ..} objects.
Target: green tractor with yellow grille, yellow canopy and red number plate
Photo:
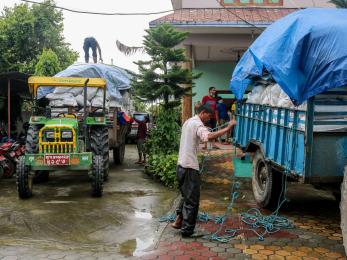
[{"x": 73, "y": 140}]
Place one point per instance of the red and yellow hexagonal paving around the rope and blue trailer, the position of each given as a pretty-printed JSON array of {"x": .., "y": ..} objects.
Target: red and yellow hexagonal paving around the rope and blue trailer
[{"x": 315, "y": 214}]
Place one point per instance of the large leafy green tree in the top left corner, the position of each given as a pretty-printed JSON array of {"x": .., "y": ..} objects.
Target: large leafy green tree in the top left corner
[{"x": 25, "y": 31}]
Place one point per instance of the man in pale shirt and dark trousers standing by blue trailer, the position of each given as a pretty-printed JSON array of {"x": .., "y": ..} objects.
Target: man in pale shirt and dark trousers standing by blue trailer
[{"x": 187, "y": 173}]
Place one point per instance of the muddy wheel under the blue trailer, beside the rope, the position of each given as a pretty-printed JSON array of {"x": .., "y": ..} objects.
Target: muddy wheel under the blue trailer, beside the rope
[{"x": 266, "y": 182}]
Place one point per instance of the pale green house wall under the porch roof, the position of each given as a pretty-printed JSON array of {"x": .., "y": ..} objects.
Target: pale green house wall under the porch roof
[{"x": 216, "y": 74}]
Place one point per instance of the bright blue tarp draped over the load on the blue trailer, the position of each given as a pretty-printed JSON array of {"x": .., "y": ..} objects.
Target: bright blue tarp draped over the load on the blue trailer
[{"x": 304, "y": 52}]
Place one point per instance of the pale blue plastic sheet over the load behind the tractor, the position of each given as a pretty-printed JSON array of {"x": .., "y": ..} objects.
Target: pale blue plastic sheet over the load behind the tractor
[{"x": 117, "y": 78}]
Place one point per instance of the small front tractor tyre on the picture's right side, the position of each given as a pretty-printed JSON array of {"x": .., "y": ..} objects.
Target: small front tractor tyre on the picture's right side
[{"x": 97, "y": 176}]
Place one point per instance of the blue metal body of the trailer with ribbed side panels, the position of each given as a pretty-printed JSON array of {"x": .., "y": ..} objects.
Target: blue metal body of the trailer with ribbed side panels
[{"x": 308, "y": 146}]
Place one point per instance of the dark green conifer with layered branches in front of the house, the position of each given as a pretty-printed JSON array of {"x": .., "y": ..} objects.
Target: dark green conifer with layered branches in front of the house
[{"x": 162, "y": 77}]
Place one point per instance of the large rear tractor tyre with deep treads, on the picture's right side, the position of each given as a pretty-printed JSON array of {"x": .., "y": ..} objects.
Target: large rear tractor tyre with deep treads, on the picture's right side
[{"x": 99, "y": 146}]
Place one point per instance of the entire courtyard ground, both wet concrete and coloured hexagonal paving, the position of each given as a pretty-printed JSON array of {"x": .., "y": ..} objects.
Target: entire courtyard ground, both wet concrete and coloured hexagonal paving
[{"x": 62, "y": 221}]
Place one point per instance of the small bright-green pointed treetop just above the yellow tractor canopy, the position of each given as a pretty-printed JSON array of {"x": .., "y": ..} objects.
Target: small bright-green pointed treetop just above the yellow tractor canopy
[{"x": 48, "y": 64}]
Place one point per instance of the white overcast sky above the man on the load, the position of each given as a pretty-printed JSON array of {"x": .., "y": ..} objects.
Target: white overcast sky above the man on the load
[{"x": 107, "y": 29}]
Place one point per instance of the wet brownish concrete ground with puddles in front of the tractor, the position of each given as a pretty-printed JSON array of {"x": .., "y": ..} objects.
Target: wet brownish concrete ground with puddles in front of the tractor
[{"x": 62, "y": 220}]
